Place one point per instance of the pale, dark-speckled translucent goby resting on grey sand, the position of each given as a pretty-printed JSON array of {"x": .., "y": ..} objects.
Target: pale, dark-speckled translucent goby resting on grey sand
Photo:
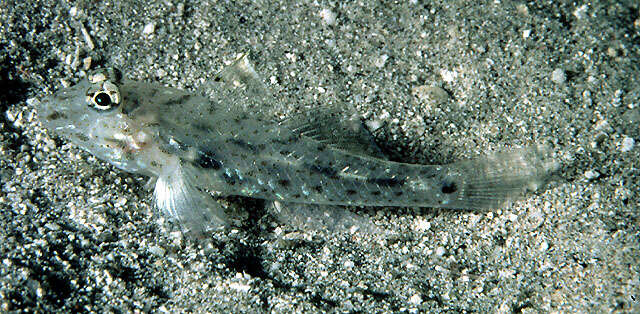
[{"x": 223, "y": 141}]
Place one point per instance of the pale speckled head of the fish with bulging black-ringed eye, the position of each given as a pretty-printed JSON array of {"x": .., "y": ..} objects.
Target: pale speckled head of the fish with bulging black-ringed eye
[{"x": 92, "y": 115}]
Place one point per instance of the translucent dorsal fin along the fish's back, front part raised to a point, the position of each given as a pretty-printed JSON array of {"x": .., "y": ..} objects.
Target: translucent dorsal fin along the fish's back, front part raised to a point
[{"x": 240, "y": 87}]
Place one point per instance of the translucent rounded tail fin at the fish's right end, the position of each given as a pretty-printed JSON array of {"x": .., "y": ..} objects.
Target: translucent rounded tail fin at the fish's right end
[{"x": 489, "y": 182}]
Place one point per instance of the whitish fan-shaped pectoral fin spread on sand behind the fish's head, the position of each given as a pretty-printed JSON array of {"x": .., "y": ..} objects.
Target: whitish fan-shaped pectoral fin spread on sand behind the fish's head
[{"x": 178, "y": 198}]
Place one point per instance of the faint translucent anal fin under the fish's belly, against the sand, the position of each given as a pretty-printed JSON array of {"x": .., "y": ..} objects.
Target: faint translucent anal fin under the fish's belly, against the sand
[{"x": 333, "y": 219}]
